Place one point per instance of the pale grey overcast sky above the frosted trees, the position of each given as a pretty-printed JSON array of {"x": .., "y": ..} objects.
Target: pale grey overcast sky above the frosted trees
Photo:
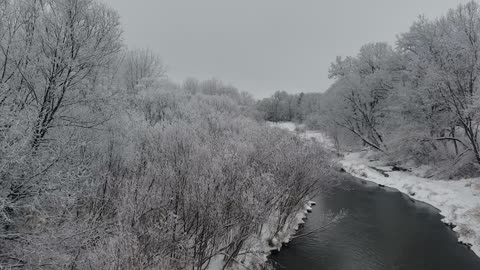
[{"x": 261, "y": 46}]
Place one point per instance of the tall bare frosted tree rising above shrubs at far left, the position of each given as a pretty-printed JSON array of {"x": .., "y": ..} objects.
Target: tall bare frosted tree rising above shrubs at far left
[{"x": 53, "y": 53}]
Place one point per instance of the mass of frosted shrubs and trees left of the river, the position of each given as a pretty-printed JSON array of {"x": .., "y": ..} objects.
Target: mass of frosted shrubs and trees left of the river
[{"x": 106, "y": 164}]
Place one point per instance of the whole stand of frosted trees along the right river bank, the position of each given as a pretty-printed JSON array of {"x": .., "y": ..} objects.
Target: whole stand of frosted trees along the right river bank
[{"x": 419, "y": 99}]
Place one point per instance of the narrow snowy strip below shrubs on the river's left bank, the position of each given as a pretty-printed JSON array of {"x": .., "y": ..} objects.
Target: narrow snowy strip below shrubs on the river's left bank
[{"x": 257, "y": 248}]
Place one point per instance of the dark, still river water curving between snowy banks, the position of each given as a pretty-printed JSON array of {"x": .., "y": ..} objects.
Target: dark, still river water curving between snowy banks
[{"x": 383, "y": 229}]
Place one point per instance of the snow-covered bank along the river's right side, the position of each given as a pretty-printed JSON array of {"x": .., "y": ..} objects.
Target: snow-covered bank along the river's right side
[{"x": 458, "y": 201}]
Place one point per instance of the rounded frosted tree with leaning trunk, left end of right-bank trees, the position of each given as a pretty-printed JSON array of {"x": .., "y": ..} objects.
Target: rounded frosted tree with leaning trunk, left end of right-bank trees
[{"x": 364, "y": 82}]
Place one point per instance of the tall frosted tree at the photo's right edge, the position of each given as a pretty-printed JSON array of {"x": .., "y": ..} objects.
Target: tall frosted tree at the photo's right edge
[{"x": 443, "y": 57}]
